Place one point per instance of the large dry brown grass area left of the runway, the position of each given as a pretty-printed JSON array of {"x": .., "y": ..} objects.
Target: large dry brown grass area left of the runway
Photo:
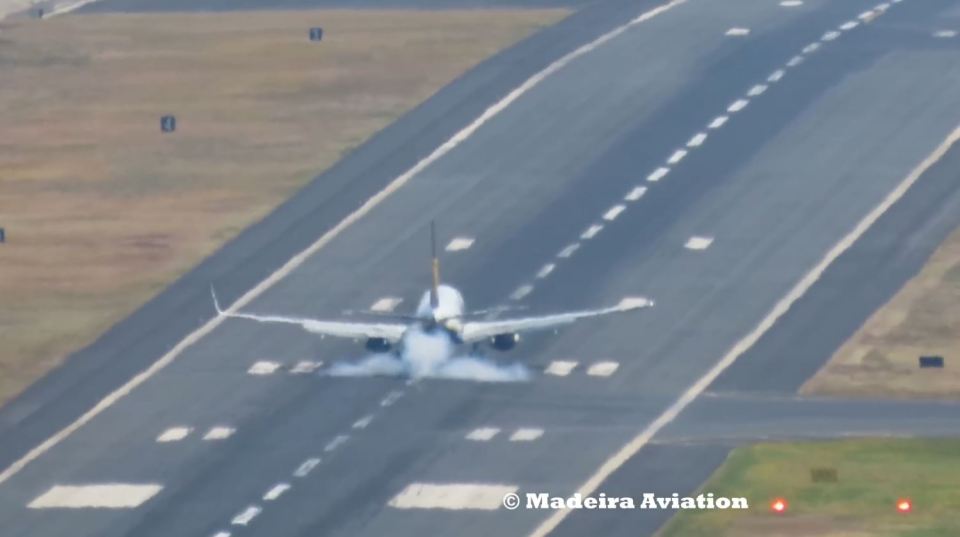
[{"x": 102, "y": 211}]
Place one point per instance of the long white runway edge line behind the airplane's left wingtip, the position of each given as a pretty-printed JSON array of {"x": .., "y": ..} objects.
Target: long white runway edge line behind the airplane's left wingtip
[{"x": 297, "y": 260}]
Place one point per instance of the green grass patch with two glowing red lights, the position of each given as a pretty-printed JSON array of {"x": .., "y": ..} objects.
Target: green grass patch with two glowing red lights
[{"x": 872, "y": 476}]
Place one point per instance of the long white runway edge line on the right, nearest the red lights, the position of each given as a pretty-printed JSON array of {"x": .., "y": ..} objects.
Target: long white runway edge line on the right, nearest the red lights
[{"x": 626, "y": 452}]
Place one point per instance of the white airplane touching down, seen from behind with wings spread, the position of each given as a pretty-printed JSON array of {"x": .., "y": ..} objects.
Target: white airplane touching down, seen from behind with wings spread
[{"x": 441, "y": 310}]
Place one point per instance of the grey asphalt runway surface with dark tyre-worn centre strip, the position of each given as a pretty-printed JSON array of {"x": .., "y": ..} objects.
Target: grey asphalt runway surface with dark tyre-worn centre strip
[{"x": 723, "y": 148}]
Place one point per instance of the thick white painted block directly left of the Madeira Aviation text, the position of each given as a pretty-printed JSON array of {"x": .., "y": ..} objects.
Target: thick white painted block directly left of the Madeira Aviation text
[{"x": 451, "y": 496}]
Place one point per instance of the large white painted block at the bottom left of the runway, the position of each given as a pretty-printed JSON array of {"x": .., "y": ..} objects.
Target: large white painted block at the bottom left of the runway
[{"x": 97, "y": 496}]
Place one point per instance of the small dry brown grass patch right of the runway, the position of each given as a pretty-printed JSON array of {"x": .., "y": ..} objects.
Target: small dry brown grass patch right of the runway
[{"x": 923, "y": 318}]
